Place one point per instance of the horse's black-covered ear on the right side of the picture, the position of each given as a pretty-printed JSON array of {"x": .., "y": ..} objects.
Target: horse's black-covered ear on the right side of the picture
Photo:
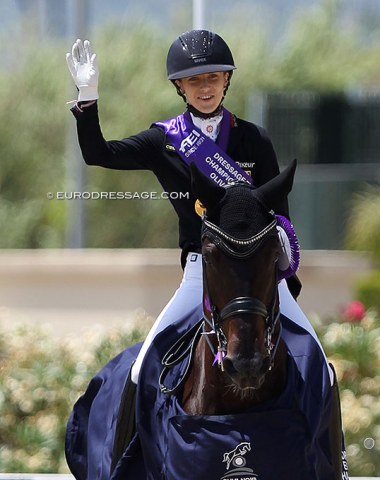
[{"x": 275, "y": 192}]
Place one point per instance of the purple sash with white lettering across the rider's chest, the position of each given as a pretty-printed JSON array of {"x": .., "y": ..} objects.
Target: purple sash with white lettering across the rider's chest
[{"x": 209, "y": 156}]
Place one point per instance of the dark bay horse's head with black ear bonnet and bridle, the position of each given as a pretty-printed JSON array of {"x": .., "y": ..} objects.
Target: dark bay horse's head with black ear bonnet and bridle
[{"x": 241, "y": 248}]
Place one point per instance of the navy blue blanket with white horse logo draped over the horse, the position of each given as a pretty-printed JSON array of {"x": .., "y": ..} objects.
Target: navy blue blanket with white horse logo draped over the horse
[{"x": 297, "y": 435}]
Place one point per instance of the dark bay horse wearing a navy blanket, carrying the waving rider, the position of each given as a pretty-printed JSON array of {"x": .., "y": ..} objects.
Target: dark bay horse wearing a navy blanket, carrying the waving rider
[{"x": 235, "y": 390}]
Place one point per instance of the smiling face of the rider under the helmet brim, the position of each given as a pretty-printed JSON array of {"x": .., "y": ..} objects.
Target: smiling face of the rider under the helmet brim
[{"x": 204, "y": 92}]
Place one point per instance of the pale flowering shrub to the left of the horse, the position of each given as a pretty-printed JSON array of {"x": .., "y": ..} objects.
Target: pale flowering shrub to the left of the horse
[{"x": 40, "y": 380}]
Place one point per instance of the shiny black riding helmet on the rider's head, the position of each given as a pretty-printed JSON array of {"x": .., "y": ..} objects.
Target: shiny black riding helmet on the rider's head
[{"x": 197, "y": 52}]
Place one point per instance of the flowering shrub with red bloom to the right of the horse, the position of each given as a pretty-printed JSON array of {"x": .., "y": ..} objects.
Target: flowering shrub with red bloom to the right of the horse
[{"x": 352, "y": 344}]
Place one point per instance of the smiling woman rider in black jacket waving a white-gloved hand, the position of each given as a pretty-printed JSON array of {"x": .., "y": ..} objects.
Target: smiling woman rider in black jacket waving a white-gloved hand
[{"x": 200, "y": 65}]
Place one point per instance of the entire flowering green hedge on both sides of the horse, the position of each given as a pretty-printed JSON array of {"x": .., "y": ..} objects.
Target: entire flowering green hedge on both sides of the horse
[{"x": 41, "y": 378}]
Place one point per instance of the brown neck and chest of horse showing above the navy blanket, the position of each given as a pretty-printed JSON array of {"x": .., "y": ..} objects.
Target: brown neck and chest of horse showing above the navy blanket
[{"x": 209, "y": 391}]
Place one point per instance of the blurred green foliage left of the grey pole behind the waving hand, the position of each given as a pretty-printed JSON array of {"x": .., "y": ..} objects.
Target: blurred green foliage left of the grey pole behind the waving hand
[{"x": 32, "y": 140}]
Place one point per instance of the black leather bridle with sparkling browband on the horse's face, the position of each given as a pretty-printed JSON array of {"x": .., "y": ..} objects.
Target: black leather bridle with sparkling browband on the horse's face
[{"x": 213, "y": 318}]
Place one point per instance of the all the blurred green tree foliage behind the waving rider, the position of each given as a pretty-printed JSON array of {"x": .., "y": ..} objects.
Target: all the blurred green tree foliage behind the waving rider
[{"x": 317, "y": 51}]
